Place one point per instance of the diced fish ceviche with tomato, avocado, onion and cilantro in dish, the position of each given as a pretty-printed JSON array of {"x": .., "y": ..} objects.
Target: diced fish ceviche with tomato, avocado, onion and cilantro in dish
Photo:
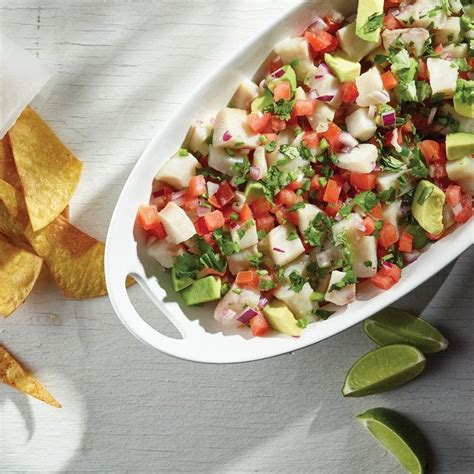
[{"x": 350, "y": 156}]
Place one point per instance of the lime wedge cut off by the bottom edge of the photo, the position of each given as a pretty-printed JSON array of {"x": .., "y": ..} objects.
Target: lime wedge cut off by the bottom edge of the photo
[{"x": 398, "y": 435}]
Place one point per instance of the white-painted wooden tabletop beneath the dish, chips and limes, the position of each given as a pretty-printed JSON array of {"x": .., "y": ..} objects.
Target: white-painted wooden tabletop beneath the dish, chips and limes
[{"x": 123, "y": 67}]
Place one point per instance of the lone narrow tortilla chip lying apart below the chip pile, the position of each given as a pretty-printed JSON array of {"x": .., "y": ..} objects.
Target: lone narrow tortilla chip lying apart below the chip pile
[{"x": 13, "y": 374}]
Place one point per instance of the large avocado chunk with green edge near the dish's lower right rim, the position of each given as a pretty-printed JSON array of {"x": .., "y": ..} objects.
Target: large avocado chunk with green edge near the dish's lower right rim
[{"x": 427, "y": 207}]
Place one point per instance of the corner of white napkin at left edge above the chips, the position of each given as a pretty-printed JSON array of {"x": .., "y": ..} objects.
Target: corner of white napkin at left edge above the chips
[{"x": 22, "y": 77}]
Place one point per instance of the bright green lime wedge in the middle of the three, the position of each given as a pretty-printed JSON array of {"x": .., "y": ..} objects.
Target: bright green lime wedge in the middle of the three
[{"x": 383, "y": 369}]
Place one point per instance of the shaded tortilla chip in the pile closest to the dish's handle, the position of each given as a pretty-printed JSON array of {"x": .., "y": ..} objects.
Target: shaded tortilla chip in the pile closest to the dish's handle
[{"x": 75, "y": 259}]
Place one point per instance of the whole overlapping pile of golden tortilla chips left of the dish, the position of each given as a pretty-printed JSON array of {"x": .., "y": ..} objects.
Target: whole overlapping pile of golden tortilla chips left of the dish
[{"x": 38, "y": 177}]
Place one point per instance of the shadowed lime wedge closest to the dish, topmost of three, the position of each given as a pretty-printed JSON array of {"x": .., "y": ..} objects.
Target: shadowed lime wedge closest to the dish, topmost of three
[{"x": 394, "y": 326}]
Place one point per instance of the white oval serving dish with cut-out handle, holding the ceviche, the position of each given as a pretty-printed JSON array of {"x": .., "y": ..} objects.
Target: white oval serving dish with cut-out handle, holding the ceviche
[{"x": 204, "y": 340}]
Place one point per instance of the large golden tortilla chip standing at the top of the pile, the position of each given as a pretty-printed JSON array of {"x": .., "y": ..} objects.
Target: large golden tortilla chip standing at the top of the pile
[{"x": 49, "y": 172}]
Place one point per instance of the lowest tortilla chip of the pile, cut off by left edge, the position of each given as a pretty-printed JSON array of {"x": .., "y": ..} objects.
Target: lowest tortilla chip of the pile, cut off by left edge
[{"x": 19, "y": 271}]
